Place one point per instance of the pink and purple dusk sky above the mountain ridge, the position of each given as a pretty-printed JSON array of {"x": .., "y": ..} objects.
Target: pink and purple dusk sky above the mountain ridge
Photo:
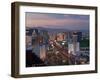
[{"x": 51, "y": 20}]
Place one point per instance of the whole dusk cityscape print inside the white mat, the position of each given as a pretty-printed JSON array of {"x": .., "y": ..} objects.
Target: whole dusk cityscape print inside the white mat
[{"x": 56, "y": 39}]
